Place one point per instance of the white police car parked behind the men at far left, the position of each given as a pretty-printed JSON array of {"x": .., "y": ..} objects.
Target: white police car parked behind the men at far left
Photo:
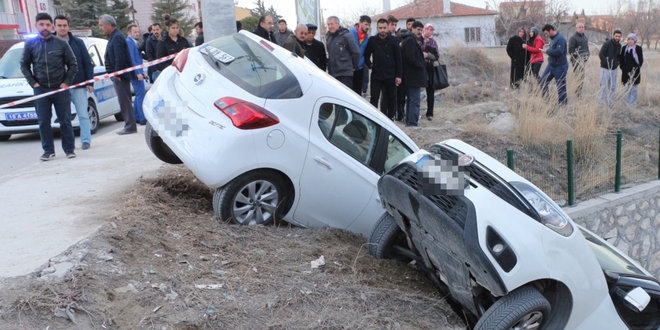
[{"x": 22, "y": 118}]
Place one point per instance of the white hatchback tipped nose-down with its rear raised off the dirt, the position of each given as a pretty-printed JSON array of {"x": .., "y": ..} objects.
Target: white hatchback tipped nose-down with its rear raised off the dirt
[{"x": 277, "y": 137}]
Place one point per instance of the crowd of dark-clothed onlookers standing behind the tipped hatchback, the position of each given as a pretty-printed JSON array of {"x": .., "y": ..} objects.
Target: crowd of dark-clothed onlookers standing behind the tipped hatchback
[{"x": 400, "y": 61}]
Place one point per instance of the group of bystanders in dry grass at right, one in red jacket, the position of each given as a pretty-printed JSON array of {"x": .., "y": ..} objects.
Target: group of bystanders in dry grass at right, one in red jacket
[{"x": 526, "y": 49}]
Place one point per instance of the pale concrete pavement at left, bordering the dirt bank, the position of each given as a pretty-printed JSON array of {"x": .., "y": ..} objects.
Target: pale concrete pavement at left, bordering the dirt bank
[{"x": 49, "y": 206}]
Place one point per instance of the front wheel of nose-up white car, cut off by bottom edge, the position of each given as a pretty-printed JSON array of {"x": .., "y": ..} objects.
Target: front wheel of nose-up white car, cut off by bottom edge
[{"x": 525, "y": 308}]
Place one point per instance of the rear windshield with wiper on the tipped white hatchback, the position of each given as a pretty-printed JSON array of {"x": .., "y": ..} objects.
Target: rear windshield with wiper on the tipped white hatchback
[{"x": 252, "y": 67}]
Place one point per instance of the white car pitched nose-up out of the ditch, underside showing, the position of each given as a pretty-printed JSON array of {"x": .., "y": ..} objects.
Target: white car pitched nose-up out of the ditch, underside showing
[{"x": 503, "y": 250}]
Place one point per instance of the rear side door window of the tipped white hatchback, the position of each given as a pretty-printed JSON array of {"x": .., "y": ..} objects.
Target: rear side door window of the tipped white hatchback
[{"x": 349, "y": 131}]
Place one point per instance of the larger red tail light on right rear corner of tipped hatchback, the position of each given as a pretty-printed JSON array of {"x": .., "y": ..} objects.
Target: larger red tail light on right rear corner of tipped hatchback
[{"x": 246, "y": 115}]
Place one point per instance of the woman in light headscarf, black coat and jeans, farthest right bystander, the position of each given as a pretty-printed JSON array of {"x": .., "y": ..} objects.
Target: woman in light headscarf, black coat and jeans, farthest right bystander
[{"x": 630, "y": 62}]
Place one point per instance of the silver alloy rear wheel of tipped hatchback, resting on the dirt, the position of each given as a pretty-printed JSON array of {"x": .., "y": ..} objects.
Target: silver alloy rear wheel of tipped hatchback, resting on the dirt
[{"x": 255, "y": 198}]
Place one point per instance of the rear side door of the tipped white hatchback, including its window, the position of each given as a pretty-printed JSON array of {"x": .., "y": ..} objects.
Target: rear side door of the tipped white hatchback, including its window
[{"x": 336, "y": 185}]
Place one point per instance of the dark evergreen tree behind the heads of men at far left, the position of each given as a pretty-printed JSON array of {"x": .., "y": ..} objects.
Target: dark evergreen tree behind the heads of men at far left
[{"x": 84, "y": 14}]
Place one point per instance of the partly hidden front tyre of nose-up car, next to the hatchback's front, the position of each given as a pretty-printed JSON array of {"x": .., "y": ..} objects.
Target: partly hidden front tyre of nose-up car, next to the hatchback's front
[{"x": 388, "y": 241}]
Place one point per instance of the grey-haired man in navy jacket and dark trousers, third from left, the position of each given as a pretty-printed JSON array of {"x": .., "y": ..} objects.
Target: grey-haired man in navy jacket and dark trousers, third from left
[{"x": 118, "y": 58}]
